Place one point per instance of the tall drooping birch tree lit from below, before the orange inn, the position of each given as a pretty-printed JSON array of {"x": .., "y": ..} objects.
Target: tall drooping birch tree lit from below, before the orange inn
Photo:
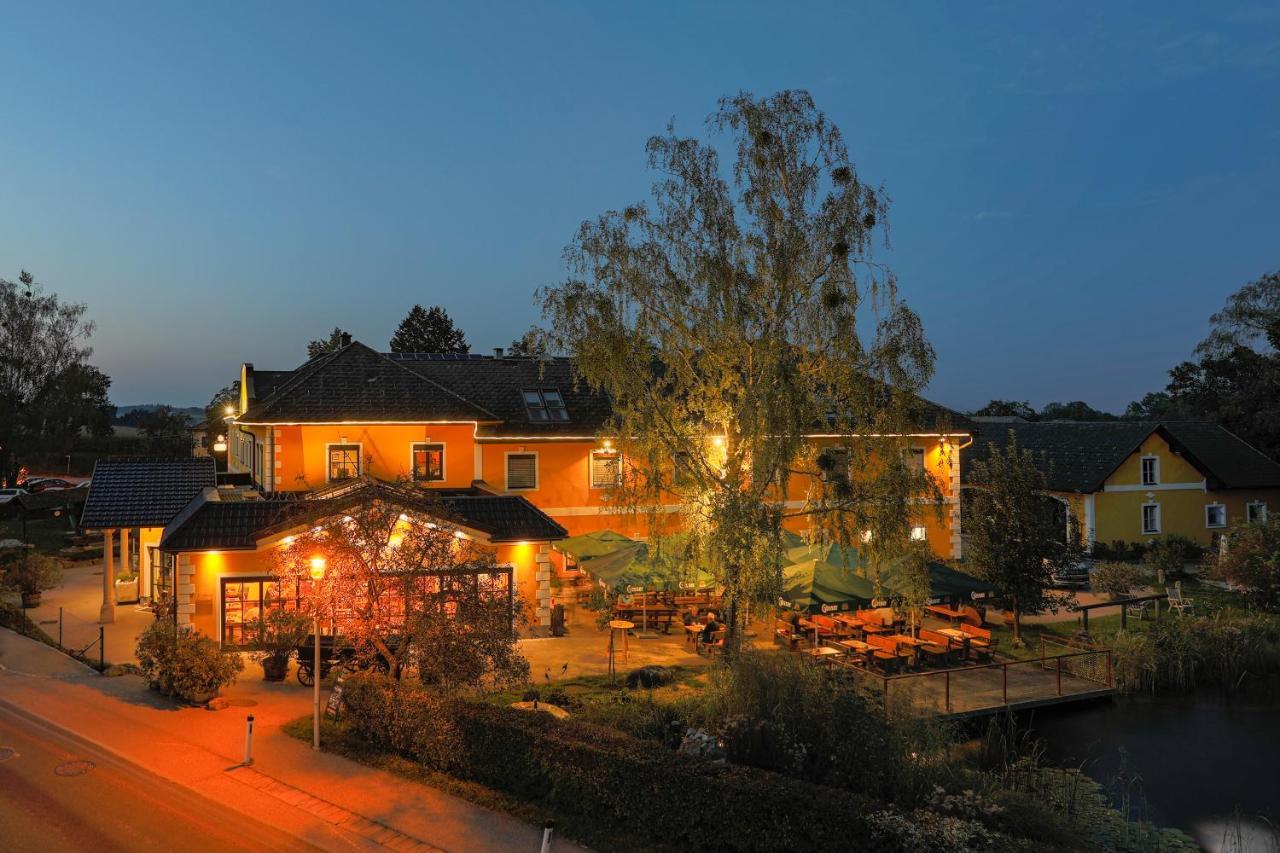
[{"x": 723, "y": 321}]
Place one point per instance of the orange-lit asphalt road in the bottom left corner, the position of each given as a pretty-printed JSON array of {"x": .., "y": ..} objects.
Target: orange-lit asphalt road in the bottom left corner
[{"x": 62, "y": 793}]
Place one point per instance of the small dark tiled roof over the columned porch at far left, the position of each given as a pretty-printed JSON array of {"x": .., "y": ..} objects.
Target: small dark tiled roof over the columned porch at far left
[{"x": 144, "y": 492}]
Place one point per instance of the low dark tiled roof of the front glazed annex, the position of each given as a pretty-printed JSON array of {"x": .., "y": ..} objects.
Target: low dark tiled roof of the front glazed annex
[{"x": 227, "y": 526}]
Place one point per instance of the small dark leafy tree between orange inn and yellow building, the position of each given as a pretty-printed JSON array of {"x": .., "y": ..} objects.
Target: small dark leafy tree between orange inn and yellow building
[{"x": 1016, "y": 535}]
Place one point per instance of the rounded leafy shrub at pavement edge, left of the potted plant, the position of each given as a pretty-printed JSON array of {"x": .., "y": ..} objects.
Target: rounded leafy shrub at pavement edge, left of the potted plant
[{"x": 184, "y": 663}]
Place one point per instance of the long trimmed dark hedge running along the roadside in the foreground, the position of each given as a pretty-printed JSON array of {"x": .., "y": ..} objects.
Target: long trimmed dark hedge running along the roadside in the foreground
[{"x": 595, "y": 779}]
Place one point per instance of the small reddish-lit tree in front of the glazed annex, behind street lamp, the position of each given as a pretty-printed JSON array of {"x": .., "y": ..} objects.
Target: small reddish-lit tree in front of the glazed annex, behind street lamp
[{"x": 404, "y": 586}]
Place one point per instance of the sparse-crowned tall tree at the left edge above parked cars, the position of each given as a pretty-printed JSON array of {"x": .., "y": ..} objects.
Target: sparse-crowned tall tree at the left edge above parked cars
[{"x": 48, "y": 391}]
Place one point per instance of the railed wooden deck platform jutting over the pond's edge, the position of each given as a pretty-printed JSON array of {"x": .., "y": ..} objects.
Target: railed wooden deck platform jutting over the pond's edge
[{"x": 1004, "y": 686}]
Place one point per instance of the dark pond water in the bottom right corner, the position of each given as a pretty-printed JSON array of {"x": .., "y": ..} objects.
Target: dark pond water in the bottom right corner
[{"x": 1203, "y": 763}]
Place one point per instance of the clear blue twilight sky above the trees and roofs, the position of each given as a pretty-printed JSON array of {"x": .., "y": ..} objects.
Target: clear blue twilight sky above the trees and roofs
[{"x": 1076, "y": 188}]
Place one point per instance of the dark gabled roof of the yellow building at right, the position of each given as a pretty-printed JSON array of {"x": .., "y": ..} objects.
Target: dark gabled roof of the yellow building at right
[{"x": 1084, "y": 455}]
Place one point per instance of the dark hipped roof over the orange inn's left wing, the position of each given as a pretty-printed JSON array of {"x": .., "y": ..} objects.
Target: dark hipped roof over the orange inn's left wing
[{"x": 356, "y": 384}]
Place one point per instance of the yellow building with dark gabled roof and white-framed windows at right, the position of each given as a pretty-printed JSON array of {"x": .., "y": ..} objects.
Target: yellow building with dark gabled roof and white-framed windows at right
[{"x": 1140, "y": 481}]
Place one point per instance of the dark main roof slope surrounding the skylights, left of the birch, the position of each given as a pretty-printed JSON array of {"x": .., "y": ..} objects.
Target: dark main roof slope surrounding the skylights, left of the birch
[{"x": 496, "y": 385}]
